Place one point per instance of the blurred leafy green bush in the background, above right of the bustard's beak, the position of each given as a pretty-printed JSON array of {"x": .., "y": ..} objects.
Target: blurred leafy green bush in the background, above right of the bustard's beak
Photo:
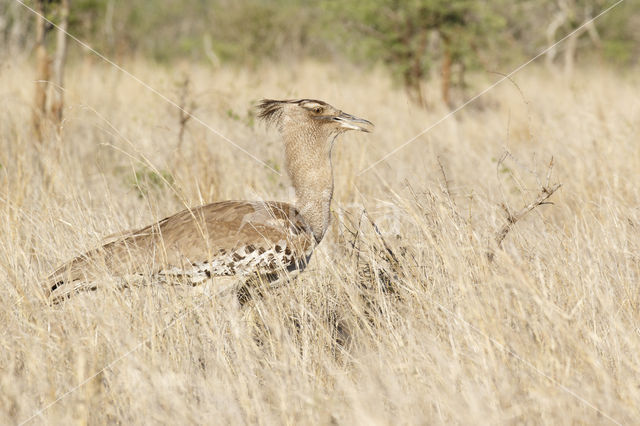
[{"x": 409, "y": 36}]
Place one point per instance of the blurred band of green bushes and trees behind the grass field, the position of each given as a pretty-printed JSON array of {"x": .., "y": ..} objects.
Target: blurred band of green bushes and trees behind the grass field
[{"x": 415, "y": 40}]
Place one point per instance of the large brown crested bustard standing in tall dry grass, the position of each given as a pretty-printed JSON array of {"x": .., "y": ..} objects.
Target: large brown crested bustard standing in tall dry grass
[{"x": 232, "y": 239}]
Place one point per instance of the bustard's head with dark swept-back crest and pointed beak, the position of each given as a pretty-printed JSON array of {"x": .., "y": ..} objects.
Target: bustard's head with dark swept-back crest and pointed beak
[{"x": 311, "y": 116}]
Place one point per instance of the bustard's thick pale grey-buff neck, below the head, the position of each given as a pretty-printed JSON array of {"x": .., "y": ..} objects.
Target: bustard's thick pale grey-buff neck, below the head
[{"x": 308, "y": 161}]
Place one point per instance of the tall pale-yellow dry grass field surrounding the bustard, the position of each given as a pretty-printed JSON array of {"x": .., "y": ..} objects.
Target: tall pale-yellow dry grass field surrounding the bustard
[{"x": 548, "y": 332}]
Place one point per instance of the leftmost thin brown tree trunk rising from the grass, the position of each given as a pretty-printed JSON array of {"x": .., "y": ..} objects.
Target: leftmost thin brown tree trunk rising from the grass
[{"x": 43, "y": 64}]
